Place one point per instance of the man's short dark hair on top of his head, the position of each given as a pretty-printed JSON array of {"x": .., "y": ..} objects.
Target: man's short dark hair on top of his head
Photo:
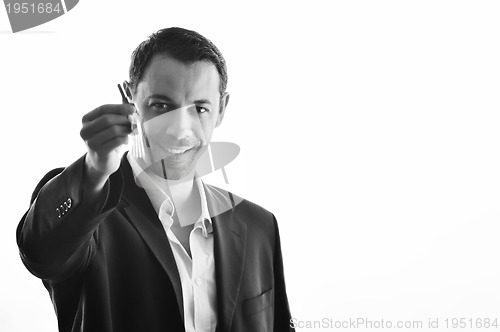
[{"x": 183, "y": 45}]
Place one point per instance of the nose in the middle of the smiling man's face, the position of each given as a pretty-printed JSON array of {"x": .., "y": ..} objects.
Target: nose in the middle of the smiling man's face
[{"x": 183, "y": 122}]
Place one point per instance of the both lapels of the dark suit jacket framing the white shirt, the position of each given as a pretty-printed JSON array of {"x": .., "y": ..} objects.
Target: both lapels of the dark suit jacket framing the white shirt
[{"x": 229, "y": 242}]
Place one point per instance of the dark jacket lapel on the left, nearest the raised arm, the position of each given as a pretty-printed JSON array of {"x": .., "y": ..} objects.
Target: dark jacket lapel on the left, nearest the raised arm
[{"x": 142, "y": 216}]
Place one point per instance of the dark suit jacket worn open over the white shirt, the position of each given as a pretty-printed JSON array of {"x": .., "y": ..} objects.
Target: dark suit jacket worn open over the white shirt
[{"x": 108, "y": 265}]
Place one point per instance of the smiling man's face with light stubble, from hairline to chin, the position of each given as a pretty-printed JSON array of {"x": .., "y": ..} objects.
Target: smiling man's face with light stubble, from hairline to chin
[{"x": 181, "y": 133}]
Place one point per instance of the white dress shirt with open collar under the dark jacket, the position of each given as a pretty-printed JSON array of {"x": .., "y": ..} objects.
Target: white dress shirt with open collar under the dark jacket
[{"x": 197, "y": 273}]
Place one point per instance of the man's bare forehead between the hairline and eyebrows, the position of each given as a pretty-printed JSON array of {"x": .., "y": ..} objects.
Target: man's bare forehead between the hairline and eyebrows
[{"x": 166, "y": 75}]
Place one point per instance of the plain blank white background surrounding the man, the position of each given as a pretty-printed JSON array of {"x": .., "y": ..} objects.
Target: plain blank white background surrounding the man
[{"x": 369, "y": 128}]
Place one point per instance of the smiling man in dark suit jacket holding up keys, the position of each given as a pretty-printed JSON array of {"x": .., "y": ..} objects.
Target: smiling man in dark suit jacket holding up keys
[{"x": 140, "y": 243}]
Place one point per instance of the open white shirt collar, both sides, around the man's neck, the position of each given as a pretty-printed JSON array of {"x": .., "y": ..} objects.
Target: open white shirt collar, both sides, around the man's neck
[{"x": 163, "y": 204}]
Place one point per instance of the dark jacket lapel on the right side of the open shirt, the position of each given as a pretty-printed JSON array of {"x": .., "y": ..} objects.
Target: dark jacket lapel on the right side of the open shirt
[{"x": 230, "y": 236}]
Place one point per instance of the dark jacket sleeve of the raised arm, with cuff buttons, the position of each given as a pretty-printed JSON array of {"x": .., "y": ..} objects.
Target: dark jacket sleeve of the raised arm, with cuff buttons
[{"x": 56, "y": 235}]
